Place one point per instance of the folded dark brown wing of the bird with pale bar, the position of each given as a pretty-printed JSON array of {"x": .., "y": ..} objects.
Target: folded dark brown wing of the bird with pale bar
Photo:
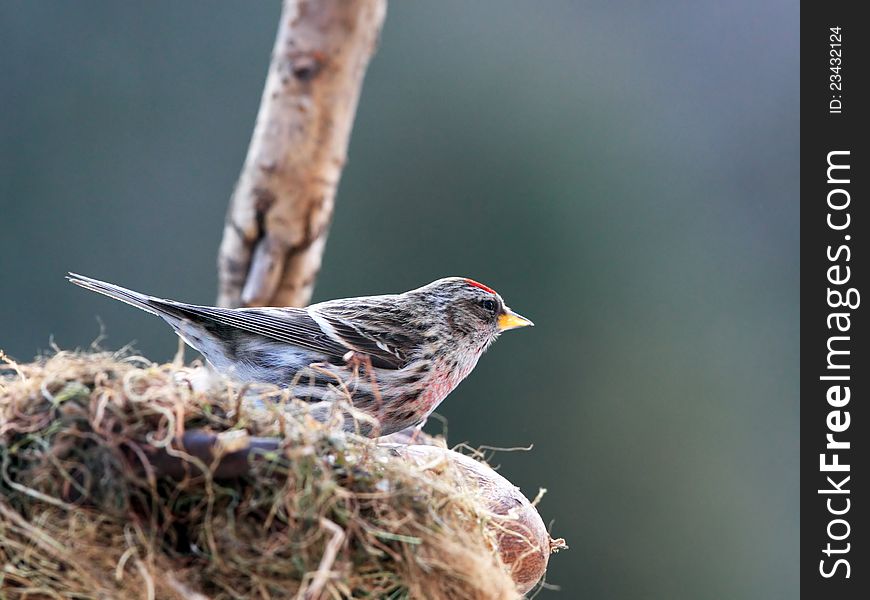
[{"x": 316, "y": 331}]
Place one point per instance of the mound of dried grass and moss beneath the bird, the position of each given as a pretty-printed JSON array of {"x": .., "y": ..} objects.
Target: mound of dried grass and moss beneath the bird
[{"x": 126, "y": 479}]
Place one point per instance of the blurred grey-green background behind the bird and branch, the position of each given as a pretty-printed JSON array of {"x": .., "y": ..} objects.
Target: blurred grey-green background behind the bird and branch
[{"x": 624, "y": 173}]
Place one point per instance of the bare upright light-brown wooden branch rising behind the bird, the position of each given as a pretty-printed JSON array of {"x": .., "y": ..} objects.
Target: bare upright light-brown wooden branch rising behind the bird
[{"x": 281, "y": 209}]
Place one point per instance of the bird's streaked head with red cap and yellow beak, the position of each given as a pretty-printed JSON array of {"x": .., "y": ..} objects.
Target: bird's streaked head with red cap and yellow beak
[{"x": 472, "y": 313}]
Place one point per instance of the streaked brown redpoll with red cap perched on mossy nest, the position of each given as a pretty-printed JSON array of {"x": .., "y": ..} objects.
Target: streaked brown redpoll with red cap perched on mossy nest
[{"x": 397, "y": 356}]
